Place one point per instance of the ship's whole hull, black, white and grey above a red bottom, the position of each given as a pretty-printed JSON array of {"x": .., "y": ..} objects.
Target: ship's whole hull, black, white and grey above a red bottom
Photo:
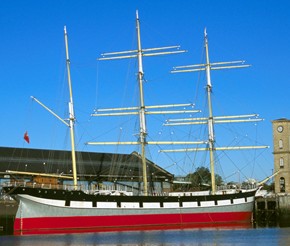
[{"x": 48, "y": 215}]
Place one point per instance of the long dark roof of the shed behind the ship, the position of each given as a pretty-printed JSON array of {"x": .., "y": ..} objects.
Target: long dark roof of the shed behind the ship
[{"x": 91, "y": 166}]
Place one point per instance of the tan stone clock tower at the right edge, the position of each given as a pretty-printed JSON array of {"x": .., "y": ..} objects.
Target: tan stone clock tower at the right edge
[{"x": 281, "y": 145}]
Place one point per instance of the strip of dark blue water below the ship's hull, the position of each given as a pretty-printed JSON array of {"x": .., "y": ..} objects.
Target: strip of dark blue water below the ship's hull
[{"x": 225, "y": 237}]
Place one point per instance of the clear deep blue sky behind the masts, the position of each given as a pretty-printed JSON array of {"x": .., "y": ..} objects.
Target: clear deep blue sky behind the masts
[{"x": 32, "y": 63}]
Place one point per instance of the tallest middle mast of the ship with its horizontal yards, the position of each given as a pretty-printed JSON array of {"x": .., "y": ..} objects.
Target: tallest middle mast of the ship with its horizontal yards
[{"x": 142, "y": 109}]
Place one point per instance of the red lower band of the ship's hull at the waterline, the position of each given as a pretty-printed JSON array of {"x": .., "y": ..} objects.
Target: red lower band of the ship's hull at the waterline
[{"x": 52, "y": 225}]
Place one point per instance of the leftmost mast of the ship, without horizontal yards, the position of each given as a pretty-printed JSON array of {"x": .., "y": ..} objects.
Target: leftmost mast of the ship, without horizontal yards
[{"x": 71, "y": 112}]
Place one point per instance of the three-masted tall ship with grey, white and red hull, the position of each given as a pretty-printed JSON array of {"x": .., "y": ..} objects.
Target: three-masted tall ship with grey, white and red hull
[{"x": 55, "y": 209}]
